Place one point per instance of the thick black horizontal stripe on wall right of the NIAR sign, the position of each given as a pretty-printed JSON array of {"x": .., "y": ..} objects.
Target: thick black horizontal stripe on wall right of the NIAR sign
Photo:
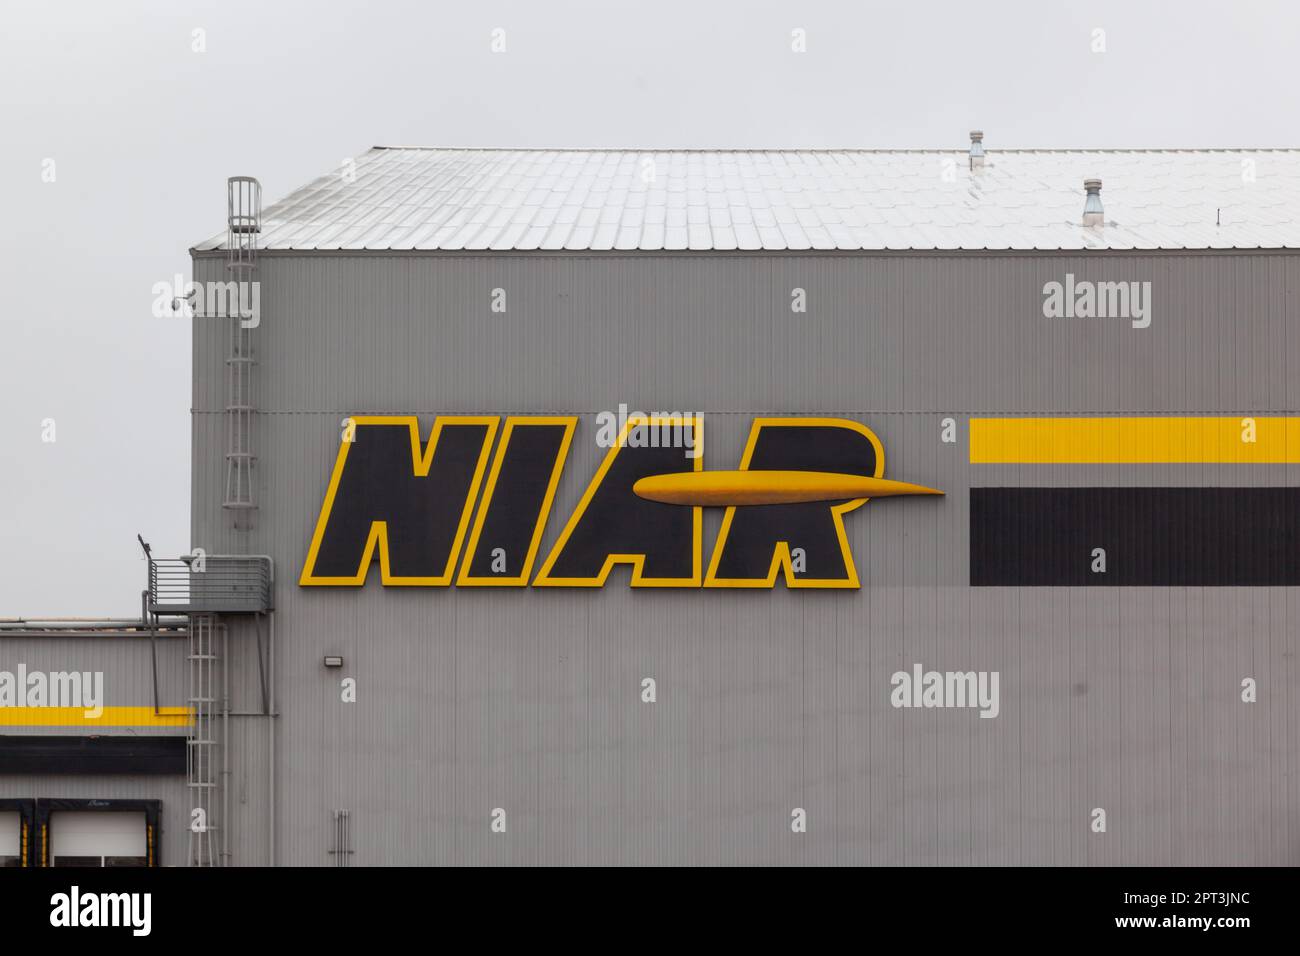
[{"x": 1152, "y": 537}]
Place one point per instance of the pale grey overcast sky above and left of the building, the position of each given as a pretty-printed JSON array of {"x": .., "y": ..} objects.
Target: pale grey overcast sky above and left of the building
[{"x": 144, "y": 132}]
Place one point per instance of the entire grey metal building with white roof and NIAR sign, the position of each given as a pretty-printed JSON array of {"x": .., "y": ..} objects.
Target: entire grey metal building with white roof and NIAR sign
[{"x": 1080, "y": 655}]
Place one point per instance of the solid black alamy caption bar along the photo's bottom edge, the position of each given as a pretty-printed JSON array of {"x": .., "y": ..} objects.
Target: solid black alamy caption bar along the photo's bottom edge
[{"x": 972, "y": 907}]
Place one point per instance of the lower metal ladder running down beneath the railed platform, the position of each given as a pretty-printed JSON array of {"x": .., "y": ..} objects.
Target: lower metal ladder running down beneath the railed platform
[{"x": 202, "y": 754}]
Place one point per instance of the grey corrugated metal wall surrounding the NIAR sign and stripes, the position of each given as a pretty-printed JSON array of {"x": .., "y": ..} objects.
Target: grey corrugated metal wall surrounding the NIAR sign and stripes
[{"x": 530, "y": 700}]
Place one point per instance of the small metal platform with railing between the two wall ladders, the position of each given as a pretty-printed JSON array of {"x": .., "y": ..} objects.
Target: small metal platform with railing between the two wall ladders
[{"x": 215, "y": 585}]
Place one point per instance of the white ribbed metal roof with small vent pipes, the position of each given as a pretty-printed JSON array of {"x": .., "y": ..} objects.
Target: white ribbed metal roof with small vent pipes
[{"x": 790, "y": 200}]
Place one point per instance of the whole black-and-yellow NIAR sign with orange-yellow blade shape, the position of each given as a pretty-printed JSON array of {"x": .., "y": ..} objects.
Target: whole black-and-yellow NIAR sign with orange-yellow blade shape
[{"x": 410, "y": 508}]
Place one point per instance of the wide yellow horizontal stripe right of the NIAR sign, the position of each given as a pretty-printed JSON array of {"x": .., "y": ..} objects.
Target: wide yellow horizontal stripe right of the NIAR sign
[{"x": 1136, "y": 442}]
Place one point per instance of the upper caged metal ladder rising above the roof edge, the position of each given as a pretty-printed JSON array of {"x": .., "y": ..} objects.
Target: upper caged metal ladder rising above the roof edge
[{"x": 244, "y": 226}]
